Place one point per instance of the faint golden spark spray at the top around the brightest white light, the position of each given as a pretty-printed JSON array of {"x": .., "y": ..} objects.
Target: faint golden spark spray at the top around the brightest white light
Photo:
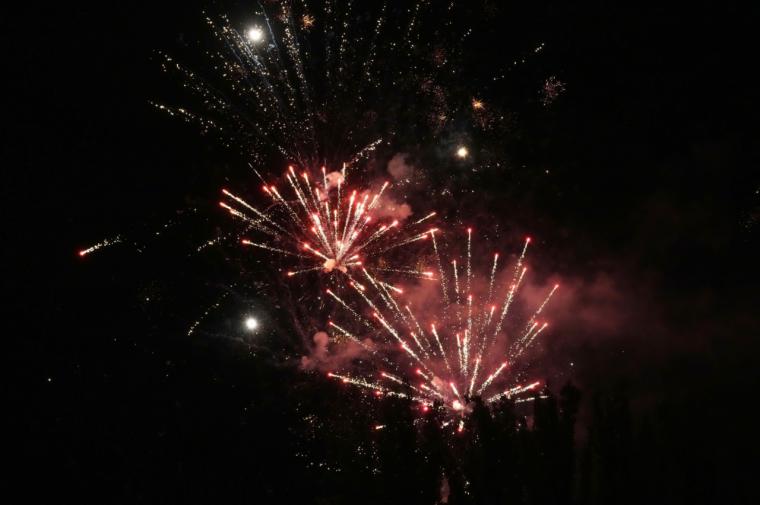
[{"x": 267, "y": 96}]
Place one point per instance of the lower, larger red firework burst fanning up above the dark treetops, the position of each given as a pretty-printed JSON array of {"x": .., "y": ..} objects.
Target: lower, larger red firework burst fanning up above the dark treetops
[{"x": 450, "y": 357}]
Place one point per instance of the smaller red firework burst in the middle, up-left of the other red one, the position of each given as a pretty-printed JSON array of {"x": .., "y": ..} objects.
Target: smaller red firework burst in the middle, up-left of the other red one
[{"x": 324, "y": 225}]
